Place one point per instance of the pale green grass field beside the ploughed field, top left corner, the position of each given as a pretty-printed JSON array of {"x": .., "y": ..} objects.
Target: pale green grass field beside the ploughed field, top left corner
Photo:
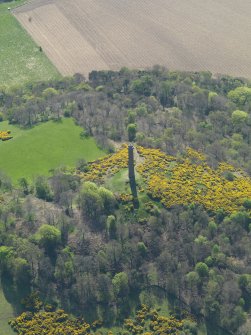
[{"x": 20, "y": 58}]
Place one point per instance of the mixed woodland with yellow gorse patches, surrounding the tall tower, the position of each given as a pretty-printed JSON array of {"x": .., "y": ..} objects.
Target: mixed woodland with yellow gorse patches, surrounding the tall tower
[{"x": 75, "y": 243}]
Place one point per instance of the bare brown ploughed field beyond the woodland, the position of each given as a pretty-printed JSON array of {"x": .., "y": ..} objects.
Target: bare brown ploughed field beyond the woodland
[{"x": 85, "y": 35}]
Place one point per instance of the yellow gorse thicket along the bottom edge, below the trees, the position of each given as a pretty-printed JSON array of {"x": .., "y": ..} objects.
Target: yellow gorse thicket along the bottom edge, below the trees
[{"x": 147, "y": 322}]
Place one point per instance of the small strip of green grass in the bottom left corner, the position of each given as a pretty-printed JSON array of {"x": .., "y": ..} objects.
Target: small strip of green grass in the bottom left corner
[{"x": 6, "y": 313}]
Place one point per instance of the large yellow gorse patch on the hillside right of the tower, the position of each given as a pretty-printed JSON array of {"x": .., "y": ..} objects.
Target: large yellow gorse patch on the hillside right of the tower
[{"x": 191, "y": 180}]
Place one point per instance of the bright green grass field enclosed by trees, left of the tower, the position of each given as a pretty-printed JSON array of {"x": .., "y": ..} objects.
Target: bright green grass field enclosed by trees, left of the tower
[{"x": 49, "y": 145}]
